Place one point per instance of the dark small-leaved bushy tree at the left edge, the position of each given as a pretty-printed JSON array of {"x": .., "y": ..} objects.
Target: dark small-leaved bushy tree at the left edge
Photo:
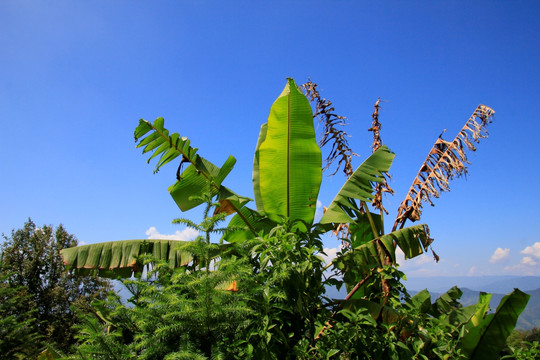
[{"x": 34, "y": 284}]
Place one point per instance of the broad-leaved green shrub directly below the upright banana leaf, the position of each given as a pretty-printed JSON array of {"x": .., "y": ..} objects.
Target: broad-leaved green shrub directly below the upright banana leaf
[{"x": 285, "y": 294}]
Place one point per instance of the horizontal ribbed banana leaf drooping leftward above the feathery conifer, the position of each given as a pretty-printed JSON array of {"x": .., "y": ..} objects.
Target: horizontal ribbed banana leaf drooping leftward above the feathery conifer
[{"x": 117, "y": 258}]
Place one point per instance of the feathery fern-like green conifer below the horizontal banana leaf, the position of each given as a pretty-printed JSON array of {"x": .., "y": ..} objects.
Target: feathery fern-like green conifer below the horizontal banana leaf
[{"x": 183, "y": 313}]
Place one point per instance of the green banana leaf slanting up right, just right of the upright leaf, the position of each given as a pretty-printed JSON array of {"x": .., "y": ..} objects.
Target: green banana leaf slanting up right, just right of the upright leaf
[{"x": 359, "y": 186}]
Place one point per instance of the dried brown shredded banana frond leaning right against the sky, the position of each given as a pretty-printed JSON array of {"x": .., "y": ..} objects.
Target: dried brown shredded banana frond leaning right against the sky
[{"x": 445, "y": 161}]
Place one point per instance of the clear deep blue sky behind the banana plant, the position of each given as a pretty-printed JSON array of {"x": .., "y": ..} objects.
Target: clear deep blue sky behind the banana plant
[{"x": 76, "y": 76}]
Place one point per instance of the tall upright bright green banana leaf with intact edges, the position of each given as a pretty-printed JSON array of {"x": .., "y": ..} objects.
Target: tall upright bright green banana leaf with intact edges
[{"x": 287, "y": 170}]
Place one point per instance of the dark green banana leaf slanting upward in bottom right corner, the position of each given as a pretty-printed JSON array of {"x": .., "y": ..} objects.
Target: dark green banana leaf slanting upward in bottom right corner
[{"x": 485, "y": 341}]
